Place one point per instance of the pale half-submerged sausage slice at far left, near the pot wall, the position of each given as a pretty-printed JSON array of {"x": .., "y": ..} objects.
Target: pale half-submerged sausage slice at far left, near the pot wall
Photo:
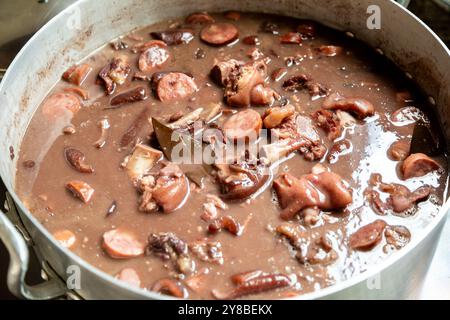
[{"x": 58, "y": 105}]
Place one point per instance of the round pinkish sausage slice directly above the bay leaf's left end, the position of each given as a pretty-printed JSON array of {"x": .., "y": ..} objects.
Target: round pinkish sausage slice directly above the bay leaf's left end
[{"x": 175, "y": 86}]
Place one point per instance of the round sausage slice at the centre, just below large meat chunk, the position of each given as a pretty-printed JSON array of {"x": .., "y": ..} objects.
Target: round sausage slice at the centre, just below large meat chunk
[{"x": 244, "y": 125}]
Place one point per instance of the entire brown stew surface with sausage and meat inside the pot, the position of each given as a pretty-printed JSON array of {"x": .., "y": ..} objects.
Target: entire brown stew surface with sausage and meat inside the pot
[{"x": 352, "y": 169}]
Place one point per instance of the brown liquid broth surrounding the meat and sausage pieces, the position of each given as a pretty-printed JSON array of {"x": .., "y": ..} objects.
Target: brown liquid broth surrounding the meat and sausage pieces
[{"x": 357, "y": 72}]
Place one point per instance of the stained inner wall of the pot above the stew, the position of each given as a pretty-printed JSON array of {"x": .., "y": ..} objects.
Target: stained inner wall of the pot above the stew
[{"x": 88, "y": 25}]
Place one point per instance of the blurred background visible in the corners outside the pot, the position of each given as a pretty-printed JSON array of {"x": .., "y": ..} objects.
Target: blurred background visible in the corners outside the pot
[{"x": 20, "y": 19}]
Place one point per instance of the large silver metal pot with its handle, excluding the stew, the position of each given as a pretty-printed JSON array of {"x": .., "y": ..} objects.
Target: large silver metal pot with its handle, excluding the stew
[{"x": 88, "y": 24}]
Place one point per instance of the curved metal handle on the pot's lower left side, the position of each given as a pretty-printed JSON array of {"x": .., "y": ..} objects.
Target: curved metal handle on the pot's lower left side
[{"x": 18, "y": 266}]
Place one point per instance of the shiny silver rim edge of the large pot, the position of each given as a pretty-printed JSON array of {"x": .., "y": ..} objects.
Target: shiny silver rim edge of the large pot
[{"x": 318, "y": 294}]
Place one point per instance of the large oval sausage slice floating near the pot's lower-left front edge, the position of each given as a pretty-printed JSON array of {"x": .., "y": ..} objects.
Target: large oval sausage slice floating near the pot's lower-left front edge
[{"x": 120, "y": 244}]
